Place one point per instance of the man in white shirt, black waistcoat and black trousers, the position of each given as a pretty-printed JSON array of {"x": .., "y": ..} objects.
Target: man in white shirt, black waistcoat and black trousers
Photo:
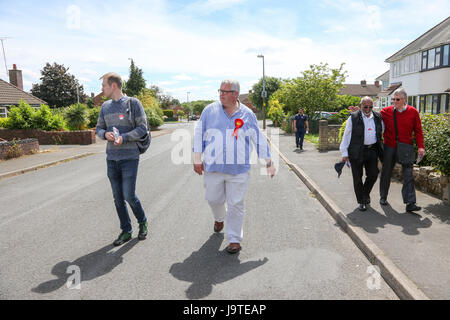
[{"x": 362, "y": 146}]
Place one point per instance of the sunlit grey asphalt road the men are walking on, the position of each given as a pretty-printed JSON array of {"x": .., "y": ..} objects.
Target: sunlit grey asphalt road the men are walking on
[{"x": 63, "y": 216}]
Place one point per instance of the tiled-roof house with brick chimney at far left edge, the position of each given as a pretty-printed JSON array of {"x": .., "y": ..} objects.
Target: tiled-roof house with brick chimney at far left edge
[{"x": 12, "y": 93}]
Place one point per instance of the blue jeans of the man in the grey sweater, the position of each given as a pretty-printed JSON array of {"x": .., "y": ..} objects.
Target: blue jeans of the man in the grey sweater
[{"x": 122, "y": 176}]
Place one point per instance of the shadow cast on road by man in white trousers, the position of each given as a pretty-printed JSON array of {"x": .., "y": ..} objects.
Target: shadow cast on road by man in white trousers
[{"x": 209, "y": 266}]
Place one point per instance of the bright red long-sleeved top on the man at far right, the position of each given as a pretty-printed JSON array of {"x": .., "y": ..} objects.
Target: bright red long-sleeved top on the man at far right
[{"x": 407, "y": 122}]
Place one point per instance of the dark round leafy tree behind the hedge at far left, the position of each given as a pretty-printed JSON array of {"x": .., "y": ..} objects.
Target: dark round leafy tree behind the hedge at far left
[{"x": 58, "y": 88}]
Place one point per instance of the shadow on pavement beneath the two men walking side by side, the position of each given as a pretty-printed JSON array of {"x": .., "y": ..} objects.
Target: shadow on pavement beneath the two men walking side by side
[{"x": 371, "y": 220}]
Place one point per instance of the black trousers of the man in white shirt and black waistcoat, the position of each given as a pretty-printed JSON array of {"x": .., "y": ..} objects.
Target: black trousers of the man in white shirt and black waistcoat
[{"x": 370, "y": 164}]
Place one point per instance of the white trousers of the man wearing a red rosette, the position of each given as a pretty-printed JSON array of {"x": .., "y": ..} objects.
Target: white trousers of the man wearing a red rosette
[{"x": 229, "y": 188}]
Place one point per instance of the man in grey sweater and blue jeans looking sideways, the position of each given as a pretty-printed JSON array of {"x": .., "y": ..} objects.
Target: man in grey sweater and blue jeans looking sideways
[{"x": 122, "y": 121}]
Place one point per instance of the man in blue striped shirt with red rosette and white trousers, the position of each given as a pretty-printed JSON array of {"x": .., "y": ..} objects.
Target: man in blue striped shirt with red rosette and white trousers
[{"x": 224, "y": 135}]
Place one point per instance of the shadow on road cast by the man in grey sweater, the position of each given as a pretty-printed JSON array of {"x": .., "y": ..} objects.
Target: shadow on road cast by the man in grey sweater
[{"x": 92, "y": 265}]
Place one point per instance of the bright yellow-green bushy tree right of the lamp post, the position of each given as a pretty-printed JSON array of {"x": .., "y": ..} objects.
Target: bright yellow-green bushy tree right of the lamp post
[{"x": 315, "y": 90}]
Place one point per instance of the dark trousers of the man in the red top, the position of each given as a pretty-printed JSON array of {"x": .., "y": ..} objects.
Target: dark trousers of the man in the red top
[{"x": 408, "y": 189}]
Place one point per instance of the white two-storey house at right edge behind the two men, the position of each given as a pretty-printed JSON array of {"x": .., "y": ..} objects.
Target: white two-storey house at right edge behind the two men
[{"x": 422, "y": 68}]
